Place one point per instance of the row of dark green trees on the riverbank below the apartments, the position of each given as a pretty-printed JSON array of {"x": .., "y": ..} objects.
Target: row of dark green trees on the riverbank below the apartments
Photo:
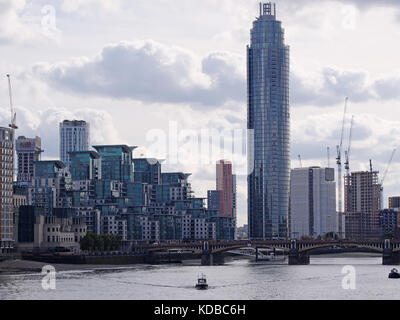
[{"x": 100, "y": 242}]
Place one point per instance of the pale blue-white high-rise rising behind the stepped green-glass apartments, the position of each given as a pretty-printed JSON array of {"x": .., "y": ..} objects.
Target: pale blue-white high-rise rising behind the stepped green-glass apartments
[{"x": 74, "y": 136}]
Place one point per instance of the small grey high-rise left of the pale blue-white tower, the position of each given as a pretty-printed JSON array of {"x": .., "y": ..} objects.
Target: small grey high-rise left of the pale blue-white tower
[{"x": 28, "y": 151}]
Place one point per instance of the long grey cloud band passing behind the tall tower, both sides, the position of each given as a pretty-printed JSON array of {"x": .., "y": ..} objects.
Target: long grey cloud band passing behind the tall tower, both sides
[{"x": 152, "y": 72}]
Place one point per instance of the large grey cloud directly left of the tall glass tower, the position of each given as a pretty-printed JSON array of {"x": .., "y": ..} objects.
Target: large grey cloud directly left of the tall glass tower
[{"x": 151, "y": 72}]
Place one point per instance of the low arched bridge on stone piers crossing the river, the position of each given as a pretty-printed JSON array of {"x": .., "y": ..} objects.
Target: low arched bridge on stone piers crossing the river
[{"x": 298, "y": 251}]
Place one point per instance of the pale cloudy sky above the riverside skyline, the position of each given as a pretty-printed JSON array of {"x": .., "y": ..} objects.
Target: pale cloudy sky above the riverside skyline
[{"x": 161, "y": 75}]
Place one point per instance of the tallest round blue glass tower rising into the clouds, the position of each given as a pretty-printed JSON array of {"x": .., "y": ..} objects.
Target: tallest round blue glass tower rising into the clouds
[{"x": 268, "y": 117}]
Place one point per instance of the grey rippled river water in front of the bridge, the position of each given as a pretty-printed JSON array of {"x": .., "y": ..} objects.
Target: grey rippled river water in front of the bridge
[{"x": 236, "y": 280}]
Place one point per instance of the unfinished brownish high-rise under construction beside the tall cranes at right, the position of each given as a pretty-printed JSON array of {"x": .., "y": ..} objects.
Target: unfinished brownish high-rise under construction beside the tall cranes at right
[{"x": 362, "y": 203}]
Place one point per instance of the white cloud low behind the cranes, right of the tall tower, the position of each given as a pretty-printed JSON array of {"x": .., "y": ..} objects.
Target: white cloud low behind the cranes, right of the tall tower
[{"x": 373, "y": 136}]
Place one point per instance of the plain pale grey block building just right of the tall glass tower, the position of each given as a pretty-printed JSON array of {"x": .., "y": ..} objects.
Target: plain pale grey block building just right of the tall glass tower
[{"x": 312, "y": 202}]
